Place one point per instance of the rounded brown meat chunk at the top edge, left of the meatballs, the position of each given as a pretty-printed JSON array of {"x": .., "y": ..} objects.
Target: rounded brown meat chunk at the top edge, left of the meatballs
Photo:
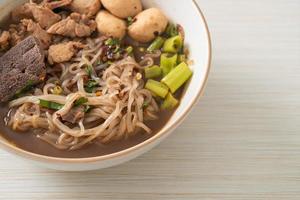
[{"x": 87, "y": 7}]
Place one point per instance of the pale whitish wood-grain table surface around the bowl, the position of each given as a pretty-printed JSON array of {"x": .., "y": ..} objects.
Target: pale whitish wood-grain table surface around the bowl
[{"x": 242, "y": 140}]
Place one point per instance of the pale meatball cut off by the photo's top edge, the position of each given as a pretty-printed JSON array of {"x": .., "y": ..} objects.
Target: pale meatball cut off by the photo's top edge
[{"x": 123, "y": 9}]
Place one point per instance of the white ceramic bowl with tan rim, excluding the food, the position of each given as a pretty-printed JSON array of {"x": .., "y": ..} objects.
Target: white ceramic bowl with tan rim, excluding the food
[{"x": 186, "y": 13}]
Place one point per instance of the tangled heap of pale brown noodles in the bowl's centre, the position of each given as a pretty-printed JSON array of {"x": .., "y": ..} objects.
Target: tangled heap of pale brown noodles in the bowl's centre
[{"x": 116, "y": 114}]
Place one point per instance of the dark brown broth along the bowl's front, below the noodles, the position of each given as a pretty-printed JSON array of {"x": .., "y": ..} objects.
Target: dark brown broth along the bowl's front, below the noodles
[{"x": 29, "y": 142}]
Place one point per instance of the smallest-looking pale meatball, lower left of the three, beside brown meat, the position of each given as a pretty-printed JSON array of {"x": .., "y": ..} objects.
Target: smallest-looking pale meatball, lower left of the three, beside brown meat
[{"x": 110, "y": 25}]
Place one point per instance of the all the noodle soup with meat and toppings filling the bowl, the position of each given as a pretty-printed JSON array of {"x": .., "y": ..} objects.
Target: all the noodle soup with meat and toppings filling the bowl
[{"x": 102, "y": 80}]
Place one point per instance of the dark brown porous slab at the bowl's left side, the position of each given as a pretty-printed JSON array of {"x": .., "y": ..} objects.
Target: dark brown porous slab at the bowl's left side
[{"x": 21, "y": 65}]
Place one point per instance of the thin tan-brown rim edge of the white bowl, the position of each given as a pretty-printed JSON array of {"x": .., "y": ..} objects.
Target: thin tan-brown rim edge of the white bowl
[{"x": 43, "y": 158}]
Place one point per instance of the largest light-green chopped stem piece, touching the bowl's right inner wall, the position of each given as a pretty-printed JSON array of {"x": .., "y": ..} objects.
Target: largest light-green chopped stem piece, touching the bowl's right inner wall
[{"x": 177, "y": 77}]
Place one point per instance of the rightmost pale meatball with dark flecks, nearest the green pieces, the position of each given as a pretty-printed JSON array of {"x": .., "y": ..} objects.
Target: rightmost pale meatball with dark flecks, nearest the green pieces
[{"x": 147, "y": 25}]
